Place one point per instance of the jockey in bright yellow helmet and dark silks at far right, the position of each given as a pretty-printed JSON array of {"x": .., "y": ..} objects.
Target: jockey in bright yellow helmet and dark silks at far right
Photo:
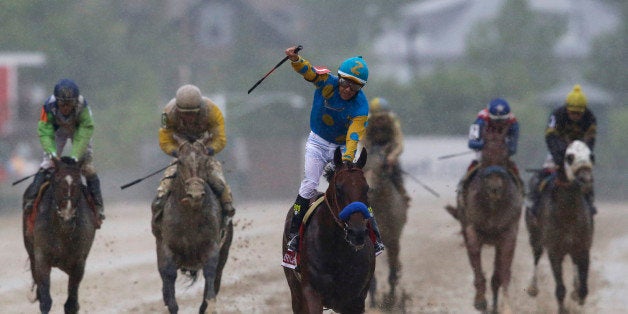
[{"x": 569, "y": 122}]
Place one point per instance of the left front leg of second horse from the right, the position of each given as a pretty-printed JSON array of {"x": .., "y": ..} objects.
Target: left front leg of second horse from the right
[{"x": 474, "y": 251}]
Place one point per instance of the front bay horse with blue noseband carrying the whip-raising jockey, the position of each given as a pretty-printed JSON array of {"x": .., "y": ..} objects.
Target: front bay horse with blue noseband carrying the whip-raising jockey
[{"x": 336, "y": 258}]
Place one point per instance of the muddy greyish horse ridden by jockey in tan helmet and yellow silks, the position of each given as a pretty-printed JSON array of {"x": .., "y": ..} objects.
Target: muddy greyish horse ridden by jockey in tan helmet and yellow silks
[{"x": 189, "y": 236}]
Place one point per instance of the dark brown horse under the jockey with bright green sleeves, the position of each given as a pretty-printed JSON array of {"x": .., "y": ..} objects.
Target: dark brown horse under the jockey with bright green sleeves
[{"x": 59, "y": 232}]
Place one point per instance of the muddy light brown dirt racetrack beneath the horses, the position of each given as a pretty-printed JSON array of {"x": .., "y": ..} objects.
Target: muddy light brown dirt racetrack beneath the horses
[{"x": 121, "y": 274}]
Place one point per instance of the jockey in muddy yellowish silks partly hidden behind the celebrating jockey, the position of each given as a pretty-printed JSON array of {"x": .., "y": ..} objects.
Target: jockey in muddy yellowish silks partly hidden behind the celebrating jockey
[{"x": 388, "y": 134}]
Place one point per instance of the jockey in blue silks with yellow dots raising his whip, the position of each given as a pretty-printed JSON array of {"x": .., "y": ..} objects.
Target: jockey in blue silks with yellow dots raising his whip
[{"x": 338, "y": 119}]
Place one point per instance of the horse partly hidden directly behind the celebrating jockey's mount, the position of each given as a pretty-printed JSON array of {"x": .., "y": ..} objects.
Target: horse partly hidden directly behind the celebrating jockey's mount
[{"x": 392, "y": 213}]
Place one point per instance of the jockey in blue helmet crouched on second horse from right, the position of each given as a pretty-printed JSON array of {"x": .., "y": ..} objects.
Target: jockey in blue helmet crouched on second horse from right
[{"x": 497, "y": 114}]
